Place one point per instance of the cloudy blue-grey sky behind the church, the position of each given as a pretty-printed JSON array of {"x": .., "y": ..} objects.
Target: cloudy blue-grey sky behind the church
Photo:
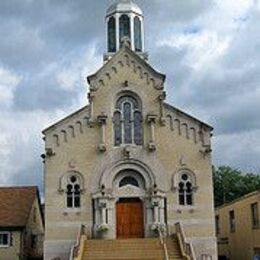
[{"x": 209, "y": 50}]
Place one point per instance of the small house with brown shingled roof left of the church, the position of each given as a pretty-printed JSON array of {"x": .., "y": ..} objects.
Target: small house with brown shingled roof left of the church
[{"x": 21, "y": 224}]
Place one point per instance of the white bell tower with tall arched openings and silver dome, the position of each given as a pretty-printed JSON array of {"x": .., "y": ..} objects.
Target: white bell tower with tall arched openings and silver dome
[{"x": 124, "y": 22}]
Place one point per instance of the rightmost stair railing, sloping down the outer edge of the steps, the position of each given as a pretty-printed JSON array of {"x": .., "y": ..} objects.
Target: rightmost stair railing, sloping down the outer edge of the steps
[{"x": 186, "y": 247}]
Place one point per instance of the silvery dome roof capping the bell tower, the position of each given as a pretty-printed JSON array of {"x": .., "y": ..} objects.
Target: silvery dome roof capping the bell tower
[{"x": 124, "y": 6}]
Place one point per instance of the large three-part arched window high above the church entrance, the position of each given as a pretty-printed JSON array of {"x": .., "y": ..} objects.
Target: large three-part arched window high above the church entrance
[{"x": 128, "y": 122}]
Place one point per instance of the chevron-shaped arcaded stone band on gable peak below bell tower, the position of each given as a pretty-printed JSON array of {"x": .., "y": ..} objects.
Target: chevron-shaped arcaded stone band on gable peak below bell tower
[{"x": 126, "y": 57}]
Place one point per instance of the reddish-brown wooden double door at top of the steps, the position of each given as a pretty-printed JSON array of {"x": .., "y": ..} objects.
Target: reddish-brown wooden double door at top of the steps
[{"x": 130, "y": 218}]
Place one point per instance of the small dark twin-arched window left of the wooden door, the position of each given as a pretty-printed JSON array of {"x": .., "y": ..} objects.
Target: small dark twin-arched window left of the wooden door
[{"x": 73, "y": 192}]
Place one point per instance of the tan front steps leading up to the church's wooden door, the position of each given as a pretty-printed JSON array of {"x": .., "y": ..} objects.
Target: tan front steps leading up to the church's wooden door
[{"x": 129, "y": 249}]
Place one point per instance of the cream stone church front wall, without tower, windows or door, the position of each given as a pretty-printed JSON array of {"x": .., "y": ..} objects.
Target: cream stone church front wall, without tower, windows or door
[{"x": 83, "y": 145}]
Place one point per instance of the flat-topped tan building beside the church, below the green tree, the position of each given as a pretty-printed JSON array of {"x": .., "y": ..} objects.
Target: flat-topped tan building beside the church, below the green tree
[{"x": 238, "y": 228}]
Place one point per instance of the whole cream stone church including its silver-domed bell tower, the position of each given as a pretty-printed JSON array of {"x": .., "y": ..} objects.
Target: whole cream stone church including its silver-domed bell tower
[{"x": 128, "y": 165}]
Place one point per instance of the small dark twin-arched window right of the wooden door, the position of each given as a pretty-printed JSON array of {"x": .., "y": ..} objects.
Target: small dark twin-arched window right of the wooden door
[{"x": 185, "y": 190}]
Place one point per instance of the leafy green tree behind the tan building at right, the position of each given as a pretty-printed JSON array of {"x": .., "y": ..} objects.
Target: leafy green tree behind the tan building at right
[{"x": 230, "y": 184}]
